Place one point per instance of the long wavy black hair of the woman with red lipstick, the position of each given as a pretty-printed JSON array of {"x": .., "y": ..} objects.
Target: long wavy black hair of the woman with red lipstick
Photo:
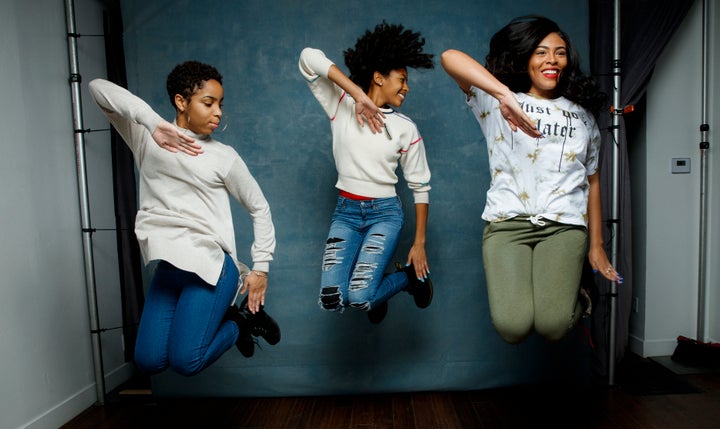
[{"x": 513, "y": 45}]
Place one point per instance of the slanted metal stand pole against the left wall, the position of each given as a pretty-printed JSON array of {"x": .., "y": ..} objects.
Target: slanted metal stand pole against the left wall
[{"x": 84, "y": 201}]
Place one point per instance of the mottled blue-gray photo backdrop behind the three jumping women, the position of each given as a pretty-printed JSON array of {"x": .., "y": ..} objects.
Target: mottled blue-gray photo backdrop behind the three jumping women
[{"x": 283, "y": 135}]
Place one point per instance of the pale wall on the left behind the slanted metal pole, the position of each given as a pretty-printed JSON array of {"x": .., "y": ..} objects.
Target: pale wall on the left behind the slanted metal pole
[{"x": 47, "y": 370}]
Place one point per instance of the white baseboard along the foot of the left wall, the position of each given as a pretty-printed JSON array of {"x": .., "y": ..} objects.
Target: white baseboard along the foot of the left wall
[{"x": 78, "y": 402}]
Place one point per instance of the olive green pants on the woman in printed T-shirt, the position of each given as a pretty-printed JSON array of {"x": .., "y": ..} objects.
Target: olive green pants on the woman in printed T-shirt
[{"x": 533, "y": 277}]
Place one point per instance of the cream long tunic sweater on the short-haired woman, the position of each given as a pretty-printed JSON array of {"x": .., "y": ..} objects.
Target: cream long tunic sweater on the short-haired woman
[{"x": 184, "y": 212}]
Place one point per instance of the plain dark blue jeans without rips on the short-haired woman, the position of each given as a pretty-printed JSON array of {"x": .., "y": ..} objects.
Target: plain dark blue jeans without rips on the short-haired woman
[{"x": 182, "y": 325}]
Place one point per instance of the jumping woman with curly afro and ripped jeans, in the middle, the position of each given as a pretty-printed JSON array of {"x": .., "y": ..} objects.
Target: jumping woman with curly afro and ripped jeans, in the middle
[{"x": 370, "y": 140}]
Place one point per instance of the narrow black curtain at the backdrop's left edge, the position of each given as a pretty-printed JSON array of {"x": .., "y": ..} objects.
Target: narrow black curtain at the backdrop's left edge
[{"x": 129, "y": 257}]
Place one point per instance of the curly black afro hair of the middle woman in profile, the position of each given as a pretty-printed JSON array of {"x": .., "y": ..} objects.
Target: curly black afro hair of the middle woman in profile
[{"x": 388, "y": 47}]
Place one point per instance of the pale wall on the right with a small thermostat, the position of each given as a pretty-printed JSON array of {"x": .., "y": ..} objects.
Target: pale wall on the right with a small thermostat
[{"x": 667, "y": 205}]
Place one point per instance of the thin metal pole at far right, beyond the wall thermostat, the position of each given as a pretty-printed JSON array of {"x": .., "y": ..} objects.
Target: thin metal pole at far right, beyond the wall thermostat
[{"x": 704, "y": 147}]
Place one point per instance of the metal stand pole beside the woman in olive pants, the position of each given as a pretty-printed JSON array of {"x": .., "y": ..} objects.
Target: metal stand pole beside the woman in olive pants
[{"x": 614, "y": 226}]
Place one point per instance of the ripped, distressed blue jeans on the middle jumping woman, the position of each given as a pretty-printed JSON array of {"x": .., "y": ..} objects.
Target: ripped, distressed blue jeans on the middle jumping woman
[{"x": 362, "y": 240}]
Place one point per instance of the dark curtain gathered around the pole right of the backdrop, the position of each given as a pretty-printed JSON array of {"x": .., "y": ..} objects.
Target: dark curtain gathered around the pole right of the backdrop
[{"x": 646, "y": 27}]
